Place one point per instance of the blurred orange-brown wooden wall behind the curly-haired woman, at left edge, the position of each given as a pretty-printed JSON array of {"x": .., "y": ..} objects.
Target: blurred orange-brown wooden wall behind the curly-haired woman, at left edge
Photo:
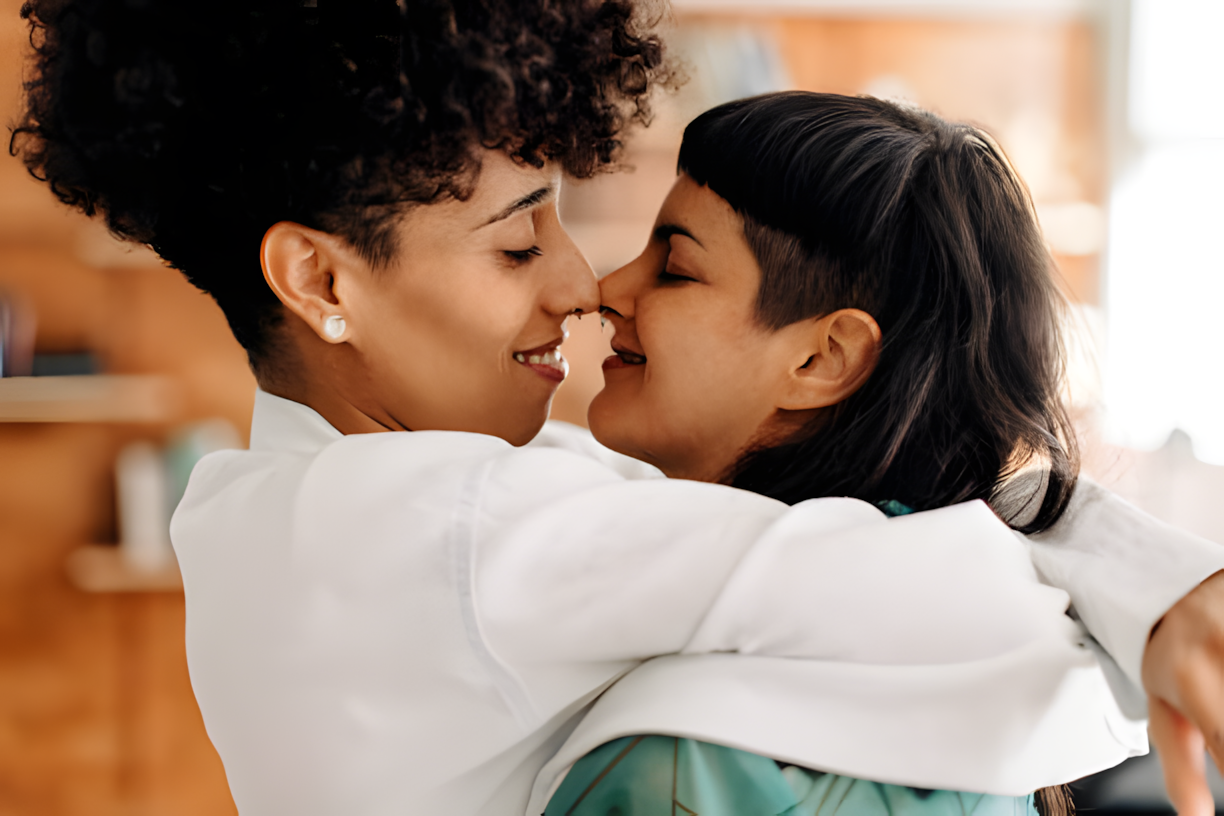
[{"x": 97, "y": 718}]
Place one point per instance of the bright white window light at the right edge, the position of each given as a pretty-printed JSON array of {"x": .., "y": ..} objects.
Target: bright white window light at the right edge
[{"x": 1166, "y": 259}]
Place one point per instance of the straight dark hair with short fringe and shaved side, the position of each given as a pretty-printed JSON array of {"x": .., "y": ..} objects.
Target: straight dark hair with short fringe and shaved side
[{"x": 859, "y": 202}]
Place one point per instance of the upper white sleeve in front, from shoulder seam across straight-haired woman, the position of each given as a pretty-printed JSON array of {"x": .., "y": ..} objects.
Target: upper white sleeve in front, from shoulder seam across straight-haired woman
[{"x": 600, "y": 571}]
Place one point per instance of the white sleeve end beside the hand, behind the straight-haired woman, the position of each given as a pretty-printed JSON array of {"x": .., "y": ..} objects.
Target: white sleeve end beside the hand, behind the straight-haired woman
[{"x": 1122, "y": 568}]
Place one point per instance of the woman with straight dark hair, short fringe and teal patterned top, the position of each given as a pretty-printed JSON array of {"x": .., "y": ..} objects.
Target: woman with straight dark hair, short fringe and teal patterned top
[{"x": 843, "y": 298}]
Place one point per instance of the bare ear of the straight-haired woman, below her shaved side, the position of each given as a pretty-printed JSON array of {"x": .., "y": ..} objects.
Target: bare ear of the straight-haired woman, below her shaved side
[{"x": 839, "y": 353}]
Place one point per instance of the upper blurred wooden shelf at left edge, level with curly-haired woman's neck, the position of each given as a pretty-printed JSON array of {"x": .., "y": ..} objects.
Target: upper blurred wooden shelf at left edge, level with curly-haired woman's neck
[{"x": 89, "y": 398}]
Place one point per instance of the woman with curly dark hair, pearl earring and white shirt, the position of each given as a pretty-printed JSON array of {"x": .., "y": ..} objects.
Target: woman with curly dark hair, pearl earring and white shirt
[{"x": 413, "y": 623}]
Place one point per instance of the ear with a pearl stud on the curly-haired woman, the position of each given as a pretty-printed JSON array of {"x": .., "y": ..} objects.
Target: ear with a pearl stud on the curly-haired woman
[{"x": 303, "y": 266}]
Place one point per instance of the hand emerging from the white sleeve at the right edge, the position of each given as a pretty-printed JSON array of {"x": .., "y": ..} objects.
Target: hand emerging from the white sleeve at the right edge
[{"x": 1184, "y": 677}]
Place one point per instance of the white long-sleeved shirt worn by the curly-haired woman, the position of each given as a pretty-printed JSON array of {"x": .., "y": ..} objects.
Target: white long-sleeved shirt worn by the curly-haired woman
[{"x": 412, "y": 623}]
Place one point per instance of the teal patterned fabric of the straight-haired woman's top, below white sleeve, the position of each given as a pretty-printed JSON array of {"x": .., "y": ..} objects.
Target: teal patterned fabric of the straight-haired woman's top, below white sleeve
[{"x": 669, "y": 776}]
